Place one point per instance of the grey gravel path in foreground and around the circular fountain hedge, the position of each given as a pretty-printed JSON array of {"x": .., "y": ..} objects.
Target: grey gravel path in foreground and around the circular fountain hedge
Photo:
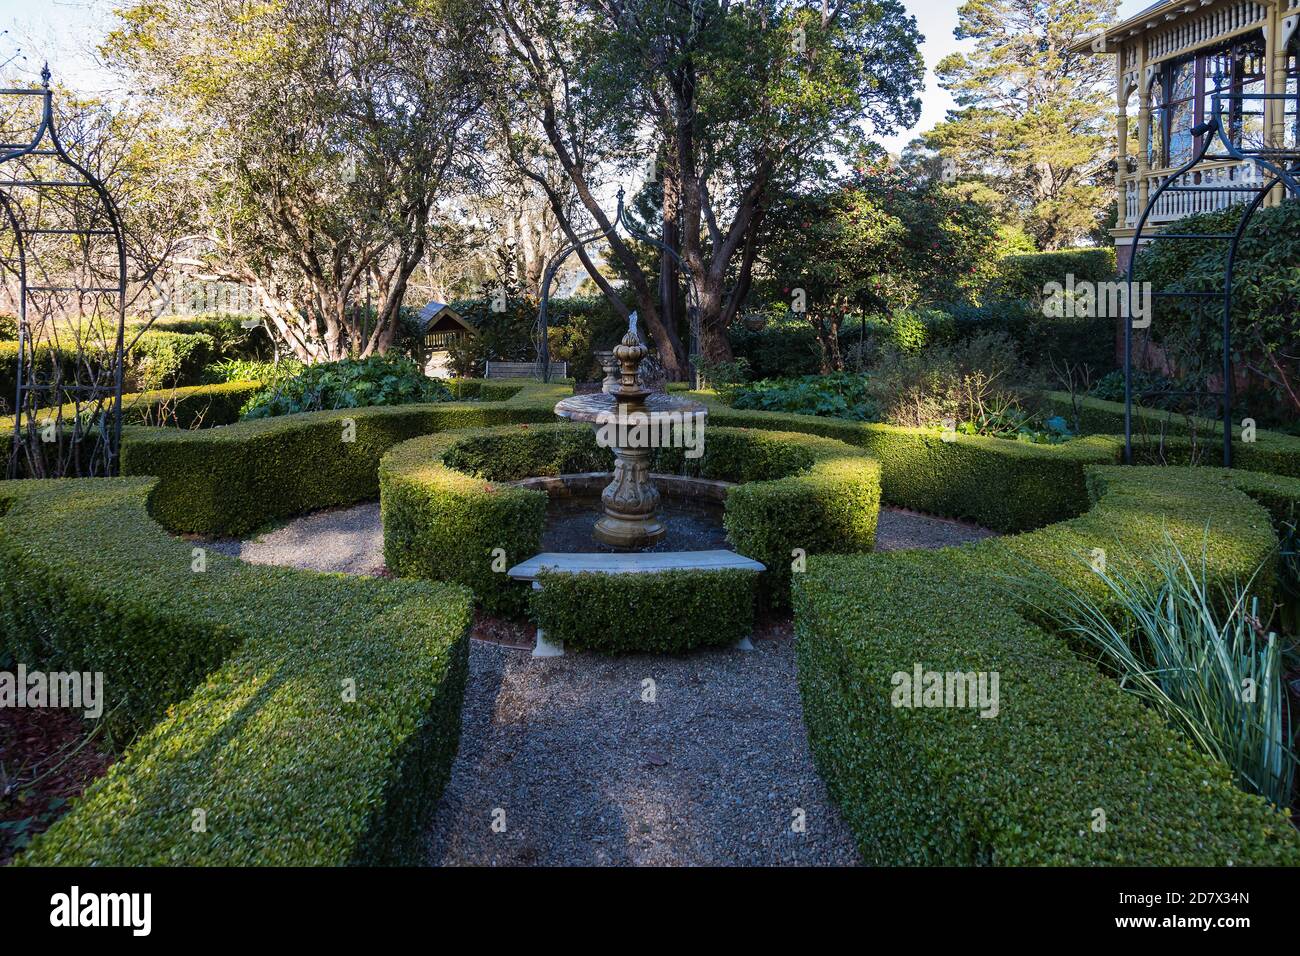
[{"x": 580, "y": 762}]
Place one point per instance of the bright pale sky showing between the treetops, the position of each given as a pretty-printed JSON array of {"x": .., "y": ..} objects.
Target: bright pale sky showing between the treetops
[{"x": 66, "y": 32}]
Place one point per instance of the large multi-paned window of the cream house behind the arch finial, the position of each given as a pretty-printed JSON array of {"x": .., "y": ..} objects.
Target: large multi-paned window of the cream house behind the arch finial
[{"x": 1182, "y": 98}]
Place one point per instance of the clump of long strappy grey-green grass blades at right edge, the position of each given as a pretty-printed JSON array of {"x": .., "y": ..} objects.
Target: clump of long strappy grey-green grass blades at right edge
[{"x": 1199, "y": 655}]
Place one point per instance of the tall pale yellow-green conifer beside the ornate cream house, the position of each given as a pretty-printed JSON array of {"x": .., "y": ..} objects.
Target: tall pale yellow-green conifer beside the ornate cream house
[{"x": 1032, "y": 115}]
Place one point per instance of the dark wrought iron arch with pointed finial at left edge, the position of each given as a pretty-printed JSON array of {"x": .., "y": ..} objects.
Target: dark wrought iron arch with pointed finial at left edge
[{"x": 63, "y": 243}]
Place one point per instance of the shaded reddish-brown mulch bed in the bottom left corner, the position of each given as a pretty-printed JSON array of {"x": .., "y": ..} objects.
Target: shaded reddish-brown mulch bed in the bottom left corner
[{"x": 40, "y": 743}]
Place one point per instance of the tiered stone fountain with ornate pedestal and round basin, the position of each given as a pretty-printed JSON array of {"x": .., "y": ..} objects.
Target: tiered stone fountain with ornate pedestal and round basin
[{"x": 634, "y": 422}]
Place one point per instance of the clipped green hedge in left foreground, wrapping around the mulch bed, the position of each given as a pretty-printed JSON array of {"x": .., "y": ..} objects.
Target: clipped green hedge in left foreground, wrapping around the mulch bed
[{"x": 287, "y": 771}]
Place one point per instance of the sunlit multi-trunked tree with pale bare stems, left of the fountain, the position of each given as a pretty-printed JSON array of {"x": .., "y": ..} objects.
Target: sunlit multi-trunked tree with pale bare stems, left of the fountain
[{"x": 333, "y": 128}]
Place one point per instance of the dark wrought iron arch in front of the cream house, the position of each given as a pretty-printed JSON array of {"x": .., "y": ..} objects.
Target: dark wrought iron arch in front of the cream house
[{"x": 1280, "y": 168}]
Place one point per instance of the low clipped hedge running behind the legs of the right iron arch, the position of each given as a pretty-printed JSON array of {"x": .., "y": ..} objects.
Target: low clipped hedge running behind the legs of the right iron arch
[{"x": 1271, "y": 452}]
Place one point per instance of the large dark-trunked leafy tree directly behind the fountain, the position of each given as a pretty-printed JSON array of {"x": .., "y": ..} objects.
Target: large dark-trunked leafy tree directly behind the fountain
[{"x": 739, "y": 101}]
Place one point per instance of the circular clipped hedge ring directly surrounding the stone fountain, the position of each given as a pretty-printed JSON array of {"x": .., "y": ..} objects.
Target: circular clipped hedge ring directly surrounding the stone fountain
[{"x": 445, "y": 513}]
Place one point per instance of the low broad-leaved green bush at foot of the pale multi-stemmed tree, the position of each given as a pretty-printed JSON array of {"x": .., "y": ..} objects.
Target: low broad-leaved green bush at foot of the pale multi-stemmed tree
[{"x": 379, "y": 380}]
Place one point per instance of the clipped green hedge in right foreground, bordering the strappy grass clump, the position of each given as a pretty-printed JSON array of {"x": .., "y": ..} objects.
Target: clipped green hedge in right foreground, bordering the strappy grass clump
[{"x": 944, "y": 786}]
